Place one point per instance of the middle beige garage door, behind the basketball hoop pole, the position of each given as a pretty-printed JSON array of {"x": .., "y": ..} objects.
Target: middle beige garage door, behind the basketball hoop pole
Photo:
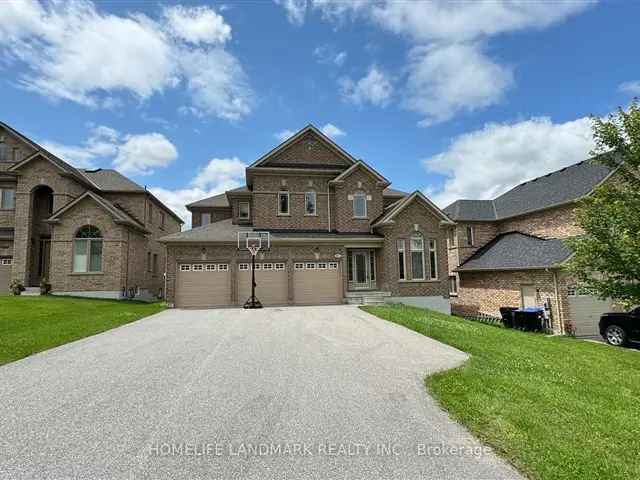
[{"x": 271, "y": 279}]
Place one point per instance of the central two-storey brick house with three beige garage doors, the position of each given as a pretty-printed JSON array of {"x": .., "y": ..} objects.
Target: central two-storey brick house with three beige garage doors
[{"x": 338, "y": 233}]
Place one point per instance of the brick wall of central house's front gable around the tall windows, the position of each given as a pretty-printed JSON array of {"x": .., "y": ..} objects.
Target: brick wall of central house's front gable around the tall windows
[{"x": 403, "y": 228}]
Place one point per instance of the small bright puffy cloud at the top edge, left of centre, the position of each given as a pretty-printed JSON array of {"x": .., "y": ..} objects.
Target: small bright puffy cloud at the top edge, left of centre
[{"x": 197, "y": 24}]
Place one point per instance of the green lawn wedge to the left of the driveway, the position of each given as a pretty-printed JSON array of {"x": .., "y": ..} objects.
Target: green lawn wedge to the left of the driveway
[{"x": 33, "y": 324}]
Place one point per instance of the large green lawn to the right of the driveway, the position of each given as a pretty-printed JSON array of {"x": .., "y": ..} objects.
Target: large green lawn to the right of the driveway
[{"x": 555, "y": 407}]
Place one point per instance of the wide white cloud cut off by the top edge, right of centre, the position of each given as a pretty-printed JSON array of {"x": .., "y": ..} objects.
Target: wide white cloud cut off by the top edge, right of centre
[{"x": 443, "y": 20}]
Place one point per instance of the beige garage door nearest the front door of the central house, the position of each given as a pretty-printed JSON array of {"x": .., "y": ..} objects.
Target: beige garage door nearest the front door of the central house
[{"x": 317, "y": 283}]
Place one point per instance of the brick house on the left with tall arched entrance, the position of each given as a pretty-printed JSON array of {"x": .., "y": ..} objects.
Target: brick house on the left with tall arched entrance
[{"x": 85, "y": 232}]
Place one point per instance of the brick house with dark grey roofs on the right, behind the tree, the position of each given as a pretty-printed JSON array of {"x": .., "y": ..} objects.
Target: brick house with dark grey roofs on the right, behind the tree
[{"x": 510, "y": 251}]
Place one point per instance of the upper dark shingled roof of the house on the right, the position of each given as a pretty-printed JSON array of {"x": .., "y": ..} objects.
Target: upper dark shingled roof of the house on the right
[{"x": 556, "y": 188}]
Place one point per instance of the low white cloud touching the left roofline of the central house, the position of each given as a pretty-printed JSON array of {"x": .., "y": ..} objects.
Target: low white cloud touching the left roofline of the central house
[{"x": 218, "y": 176}]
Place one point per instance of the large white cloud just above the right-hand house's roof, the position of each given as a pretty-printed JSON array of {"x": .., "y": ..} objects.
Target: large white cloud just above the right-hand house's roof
[{"x": 485, "y": 163}]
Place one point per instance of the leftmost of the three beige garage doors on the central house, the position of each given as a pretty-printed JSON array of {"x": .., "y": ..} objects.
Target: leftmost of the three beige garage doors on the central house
[{"x": 203, "y": 285}]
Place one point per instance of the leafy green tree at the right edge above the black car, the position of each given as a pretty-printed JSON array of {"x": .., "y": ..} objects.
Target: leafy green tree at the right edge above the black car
[{"x": 607, "y": 257}]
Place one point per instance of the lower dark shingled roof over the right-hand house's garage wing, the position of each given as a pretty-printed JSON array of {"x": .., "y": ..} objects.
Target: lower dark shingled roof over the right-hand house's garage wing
[{"x": 517, "y": 251}]
